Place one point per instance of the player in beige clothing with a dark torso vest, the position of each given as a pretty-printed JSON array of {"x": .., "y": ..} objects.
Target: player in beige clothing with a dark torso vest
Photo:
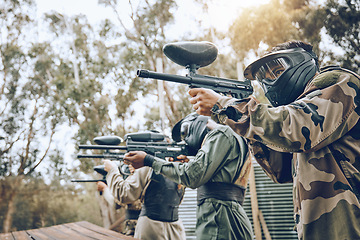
[{"x": 161, "y": 198}]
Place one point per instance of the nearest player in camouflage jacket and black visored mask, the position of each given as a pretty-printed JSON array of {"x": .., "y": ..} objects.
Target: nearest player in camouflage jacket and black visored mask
[{"x": 312, "y": 126}]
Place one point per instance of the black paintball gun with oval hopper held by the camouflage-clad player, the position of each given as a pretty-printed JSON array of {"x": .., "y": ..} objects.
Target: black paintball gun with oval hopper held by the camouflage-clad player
[{"x": 192, "y": 56}]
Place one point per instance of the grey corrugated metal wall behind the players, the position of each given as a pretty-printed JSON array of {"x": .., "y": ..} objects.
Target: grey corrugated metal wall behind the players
[{"x": 274, "y": 200}]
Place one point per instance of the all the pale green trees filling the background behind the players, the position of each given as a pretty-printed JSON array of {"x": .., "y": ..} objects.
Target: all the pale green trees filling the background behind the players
[{"x": 84, "y": 76}]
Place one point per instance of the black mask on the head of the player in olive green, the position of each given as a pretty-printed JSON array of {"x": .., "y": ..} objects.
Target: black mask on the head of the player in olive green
[{"x": 191, "y": 129}]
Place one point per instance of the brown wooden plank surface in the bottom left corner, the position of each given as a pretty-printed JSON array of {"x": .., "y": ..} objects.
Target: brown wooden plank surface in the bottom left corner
[{"x": 77, "y": 230}]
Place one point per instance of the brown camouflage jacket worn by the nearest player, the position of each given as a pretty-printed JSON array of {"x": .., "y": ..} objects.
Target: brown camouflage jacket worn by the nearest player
[{"x": 320, "y": 134}]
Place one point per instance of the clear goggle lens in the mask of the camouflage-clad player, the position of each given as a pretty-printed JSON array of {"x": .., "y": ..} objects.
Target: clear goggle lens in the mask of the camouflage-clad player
[{"x": 272, "y": 70}]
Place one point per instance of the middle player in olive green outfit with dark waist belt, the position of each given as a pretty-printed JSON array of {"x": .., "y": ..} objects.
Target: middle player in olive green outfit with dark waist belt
[{"x": 219, "y": 171}]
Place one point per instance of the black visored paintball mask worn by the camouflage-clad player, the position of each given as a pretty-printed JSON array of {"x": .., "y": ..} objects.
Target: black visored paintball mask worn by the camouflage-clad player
[{"x": 283, "y": 74}]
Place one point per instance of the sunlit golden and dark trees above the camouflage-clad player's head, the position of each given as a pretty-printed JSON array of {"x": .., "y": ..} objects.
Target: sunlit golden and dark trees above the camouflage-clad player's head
[{"x": 279, "y": 21}]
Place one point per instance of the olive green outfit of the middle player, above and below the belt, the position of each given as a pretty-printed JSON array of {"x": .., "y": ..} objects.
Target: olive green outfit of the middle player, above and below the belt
[{"x": 223, "y": 158}]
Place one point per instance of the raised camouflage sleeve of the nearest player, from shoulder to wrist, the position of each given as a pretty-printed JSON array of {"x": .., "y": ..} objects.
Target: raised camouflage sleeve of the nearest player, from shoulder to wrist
[{"x": 323, "y": 114}]
